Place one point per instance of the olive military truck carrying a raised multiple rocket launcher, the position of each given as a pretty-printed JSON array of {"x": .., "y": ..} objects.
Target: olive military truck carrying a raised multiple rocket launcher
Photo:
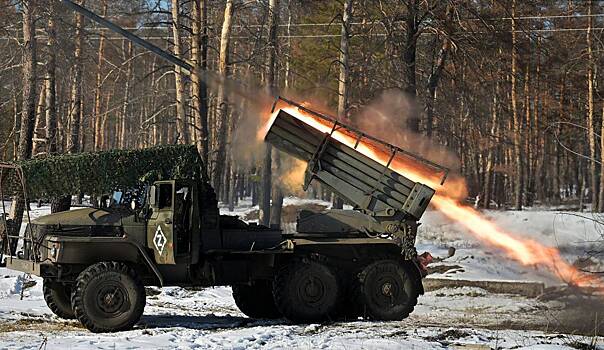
[{"x": 339, "y": 264}]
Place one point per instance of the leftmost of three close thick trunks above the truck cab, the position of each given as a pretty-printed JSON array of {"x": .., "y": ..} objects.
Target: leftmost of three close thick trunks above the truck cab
[{"x": 181, "y": 122}]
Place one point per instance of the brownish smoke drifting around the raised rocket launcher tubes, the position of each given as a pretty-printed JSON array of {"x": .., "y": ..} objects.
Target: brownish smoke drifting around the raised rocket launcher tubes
[{"x": 385, "y": 118}]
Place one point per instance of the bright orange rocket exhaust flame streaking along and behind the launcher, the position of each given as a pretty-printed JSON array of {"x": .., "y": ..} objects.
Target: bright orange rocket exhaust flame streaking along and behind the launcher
[{"x": 447, "y": 200}]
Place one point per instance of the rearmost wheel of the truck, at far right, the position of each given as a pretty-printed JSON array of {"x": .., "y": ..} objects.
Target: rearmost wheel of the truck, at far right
[{"x": 388, "y": 291}]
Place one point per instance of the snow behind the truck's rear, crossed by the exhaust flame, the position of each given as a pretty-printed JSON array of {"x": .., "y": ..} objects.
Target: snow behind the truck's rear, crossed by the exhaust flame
[{"x": 571, "y": 232}]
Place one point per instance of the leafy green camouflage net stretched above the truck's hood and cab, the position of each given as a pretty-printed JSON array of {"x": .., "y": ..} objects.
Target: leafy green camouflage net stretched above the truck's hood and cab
[{"x": 103, "y": 172}]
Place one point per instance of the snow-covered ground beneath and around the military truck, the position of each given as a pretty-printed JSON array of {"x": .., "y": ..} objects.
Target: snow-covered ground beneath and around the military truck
[{"x": 447, "y": 318}]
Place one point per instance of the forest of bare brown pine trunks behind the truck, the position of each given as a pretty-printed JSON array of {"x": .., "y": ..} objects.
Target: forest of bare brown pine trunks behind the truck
[{"x": 505, "y": 92}]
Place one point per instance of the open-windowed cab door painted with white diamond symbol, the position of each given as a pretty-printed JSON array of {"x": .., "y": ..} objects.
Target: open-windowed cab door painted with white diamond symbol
[{"x": 160, "y": 227}]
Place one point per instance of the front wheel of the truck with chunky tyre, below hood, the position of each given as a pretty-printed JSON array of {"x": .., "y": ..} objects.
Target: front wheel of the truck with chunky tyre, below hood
[{"x": 108, "y": 297}]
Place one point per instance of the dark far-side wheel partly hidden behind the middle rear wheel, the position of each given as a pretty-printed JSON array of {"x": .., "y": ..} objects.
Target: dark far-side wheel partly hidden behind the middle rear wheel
[{"x": 256, "y": 301}]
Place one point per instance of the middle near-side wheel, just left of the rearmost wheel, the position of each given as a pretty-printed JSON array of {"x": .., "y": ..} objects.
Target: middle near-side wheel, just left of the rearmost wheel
[{"x": 306, "y": 292}]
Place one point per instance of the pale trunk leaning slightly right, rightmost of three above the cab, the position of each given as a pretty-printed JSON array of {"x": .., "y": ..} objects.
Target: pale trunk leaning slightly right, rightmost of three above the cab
[{"x": 222, "y": 118}]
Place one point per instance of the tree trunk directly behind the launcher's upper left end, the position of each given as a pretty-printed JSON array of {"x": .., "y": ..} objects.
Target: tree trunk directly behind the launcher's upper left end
[{"x": 265, "y": 216}]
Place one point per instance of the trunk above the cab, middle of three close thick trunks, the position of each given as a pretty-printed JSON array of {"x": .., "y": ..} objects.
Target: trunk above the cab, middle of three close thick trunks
[{"x": 199, "y": 53}]
